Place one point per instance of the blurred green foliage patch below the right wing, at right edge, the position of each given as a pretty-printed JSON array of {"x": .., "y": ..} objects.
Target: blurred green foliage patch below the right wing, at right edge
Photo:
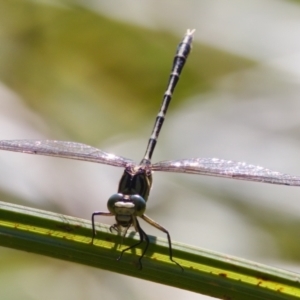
[{"x": 282, "y": 227}]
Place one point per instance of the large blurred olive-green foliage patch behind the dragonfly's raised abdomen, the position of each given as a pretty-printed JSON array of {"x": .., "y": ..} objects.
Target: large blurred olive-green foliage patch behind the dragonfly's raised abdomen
[{"x": 91, "y": 76}]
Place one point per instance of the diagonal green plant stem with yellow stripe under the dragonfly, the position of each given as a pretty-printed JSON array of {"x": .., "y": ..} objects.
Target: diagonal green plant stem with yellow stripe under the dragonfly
[{"x": 205, "y": 272}]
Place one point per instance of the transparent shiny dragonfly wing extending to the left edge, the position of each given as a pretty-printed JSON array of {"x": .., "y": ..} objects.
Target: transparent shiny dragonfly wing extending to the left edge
[{"x": 66, "y": 150}]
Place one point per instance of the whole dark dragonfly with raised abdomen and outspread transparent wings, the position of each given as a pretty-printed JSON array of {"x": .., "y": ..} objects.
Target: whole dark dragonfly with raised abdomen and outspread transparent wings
[{"x": 129, "y": 202}]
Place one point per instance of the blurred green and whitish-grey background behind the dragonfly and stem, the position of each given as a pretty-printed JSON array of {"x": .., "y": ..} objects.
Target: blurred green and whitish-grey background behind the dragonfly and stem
[{"x": 95, "y": 72}]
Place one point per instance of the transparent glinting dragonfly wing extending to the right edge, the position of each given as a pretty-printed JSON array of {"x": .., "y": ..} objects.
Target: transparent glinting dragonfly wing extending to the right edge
[{"x": 226, "y": 168}]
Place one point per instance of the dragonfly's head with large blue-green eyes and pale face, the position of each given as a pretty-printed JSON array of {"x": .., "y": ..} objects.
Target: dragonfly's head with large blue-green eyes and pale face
[{"x": 124, "y": 207}]
